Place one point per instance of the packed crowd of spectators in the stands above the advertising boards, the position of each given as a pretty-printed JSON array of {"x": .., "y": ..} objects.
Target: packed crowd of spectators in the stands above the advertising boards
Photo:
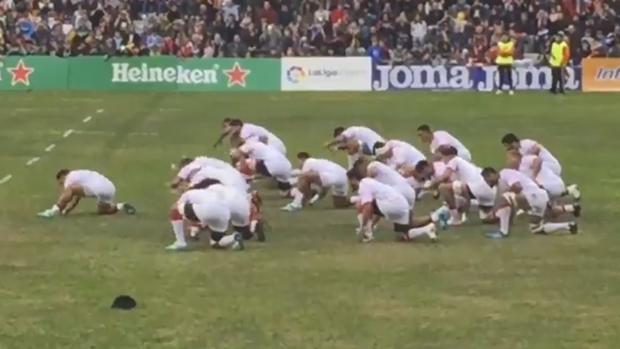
[{"x": 390, "y": 31}]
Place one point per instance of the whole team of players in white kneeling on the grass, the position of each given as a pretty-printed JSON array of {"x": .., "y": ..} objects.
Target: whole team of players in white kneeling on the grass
[{"x": 387, "y": 177}]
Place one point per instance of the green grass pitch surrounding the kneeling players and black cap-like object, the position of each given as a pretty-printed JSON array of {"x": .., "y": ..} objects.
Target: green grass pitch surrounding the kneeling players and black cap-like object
[{"x": 312, "y": 285}]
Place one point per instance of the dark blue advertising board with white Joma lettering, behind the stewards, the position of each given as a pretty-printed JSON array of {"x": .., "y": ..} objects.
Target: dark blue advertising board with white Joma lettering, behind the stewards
[{"x": 456, "y": 77}]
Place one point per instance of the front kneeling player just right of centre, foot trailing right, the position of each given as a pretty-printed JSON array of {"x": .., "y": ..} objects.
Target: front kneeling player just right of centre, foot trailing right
[{"x": 378, "y": 200}]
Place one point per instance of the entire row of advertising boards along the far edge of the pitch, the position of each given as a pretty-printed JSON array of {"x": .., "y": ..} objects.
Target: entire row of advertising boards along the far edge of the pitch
[{"x": 168, "y": 73}]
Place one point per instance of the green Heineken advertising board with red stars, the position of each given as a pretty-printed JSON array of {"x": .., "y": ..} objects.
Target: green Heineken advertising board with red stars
[{"x": 149, "y": 73}]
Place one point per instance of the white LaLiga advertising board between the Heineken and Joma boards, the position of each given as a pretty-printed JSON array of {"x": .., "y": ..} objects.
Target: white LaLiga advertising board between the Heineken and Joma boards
[{"x": 326, "y": 74}]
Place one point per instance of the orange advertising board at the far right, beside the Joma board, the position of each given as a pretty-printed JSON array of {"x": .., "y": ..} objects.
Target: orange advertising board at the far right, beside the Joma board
[{"x": 601, "y": 75}]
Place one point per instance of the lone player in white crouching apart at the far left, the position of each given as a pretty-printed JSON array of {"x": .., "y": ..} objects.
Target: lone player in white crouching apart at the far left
[{"x": 78, "y": 184}]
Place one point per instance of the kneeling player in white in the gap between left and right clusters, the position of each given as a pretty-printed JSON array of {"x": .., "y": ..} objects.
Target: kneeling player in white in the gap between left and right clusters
[{"x": 314, "y": 179}]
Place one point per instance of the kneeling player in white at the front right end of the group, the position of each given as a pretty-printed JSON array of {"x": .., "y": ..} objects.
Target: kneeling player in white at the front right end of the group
[{"x": 523, "y": 193}]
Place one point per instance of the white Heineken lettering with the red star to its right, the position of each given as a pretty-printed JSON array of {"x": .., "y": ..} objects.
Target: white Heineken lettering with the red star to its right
[{"x": 143, "y": 73}]
